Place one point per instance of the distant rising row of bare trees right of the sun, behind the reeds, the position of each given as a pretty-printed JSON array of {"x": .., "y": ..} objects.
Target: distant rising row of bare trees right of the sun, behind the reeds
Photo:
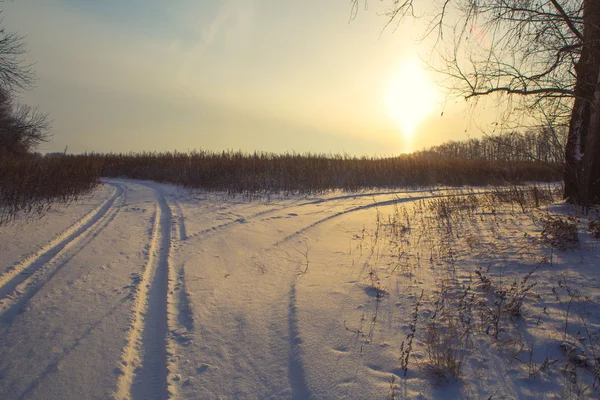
[{"x": 545, "y": 145}]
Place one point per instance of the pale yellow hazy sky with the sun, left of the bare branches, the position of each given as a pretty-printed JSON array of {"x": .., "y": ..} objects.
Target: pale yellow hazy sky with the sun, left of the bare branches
[{"x": 250, "y": 75}]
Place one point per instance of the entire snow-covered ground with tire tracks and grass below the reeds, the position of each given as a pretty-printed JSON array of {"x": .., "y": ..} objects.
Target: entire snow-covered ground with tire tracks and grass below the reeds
[{"x": 148, "y": 291}]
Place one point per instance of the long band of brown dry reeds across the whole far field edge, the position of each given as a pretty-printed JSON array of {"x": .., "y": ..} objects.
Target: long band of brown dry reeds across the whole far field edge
[{"x": 31, "y": 184}]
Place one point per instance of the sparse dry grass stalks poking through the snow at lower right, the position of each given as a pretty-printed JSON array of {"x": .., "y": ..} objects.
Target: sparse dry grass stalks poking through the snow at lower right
[{"x": 468, "y": 304}]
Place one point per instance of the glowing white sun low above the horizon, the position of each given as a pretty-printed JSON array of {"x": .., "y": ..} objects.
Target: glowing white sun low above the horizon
[{"x": 411, "y": 96}]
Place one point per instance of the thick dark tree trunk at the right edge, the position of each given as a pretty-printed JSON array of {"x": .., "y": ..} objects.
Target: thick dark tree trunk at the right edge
[{"x": 582, "y": 171}]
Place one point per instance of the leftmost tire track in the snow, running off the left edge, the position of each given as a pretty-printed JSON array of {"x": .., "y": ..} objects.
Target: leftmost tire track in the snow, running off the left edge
[{"x": 55, "y": 251}]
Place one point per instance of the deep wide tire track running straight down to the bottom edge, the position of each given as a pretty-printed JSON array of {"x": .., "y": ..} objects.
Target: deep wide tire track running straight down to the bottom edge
[{"x": 147, "y": 361}]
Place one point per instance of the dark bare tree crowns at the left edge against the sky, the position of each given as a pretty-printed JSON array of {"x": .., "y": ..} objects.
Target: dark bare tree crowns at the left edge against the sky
[{"x": 22, "y": 127}]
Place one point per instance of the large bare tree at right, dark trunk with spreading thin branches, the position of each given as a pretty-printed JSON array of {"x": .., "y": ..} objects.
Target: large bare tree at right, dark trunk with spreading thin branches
[{"x": 540, "y": 57}]
